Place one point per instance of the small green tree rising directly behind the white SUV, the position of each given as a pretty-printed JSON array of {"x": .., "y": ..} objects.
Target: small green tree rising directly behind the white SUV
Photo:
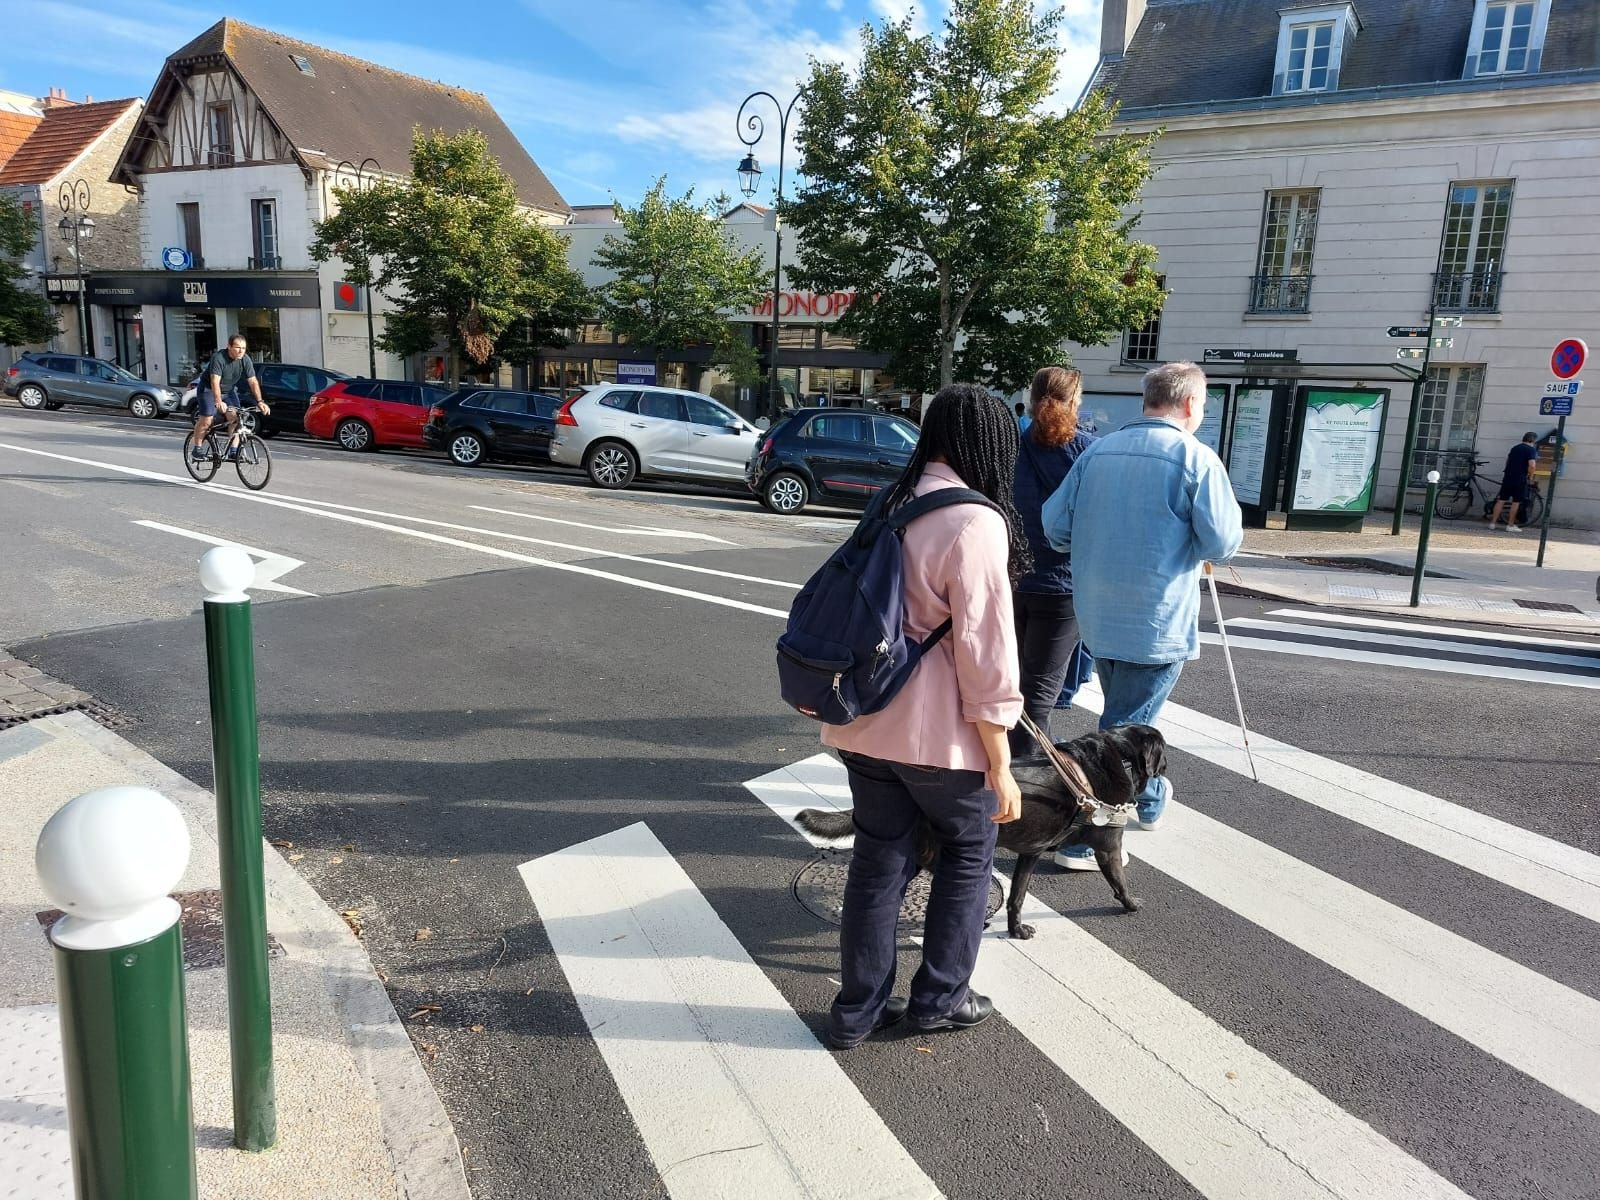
[{"x": 678, "y": 276}]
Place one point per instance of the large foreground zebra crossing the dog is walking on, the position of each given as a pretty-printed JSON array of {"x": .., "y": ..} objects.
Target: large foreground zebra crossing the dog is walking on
[{"x": 735, "y": 1097}]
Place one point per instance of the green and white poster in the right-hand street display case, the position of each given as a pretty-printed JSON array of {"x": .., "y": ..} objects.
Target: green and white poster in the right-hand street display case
[{"x": 1342, "y": 431}]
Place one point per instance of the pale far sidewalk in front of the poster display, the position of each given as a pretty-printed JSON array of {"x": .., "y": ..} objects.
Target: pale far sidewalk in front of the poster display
[{"x": 1492, "y": 575}]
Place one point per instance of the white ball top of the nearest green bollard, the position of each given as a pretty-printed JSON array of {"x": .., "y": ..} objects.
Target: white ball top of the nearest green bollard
[{"x": 108, "y": 860}]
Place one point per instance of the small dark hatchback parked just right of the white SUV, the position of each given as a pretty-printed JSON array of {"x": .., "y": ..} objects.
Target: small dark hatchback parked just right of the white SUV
[{"x": 830, "y": 457}]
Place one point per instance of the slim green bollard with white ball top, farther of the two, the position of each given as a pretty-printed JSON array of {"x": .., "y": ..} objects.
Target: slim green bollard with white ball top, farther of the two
[{"x": 226, "y": 572}]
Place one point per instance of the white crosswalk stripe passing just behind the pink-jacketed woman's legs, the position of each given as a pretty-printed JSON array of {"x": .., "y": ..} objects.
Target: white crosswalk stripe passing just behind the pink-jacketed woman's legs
[{"x": 1225, "y": 1116}]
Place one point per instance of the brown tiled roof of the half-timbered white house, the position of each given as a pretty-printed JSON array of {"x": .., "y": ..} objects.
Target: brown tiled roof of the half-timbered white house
[{"x": 350, "y": 110}]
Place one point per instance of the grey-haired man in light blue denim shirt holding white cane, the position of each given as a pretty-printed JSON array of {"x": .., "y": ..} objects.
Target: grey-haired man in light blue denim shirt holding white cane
[{"x": 1140, "y": 511}]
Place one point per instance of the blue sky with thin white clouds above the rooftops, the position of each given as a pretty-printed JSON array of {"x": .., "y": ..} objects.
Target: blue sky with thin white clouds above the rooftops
[{"x": 604, "y": 94}]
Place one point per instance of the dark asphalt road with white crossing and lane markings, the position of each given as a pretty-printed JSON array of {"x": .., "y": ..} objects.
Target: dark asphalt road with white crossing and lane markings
[{"x": 462, "y": 692}]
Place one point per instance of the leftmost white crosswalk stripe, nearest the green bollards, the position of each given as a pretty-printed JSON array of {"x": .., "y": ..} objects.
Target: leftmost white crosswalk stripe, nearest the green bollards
[{"x": 730, "y": 1090}]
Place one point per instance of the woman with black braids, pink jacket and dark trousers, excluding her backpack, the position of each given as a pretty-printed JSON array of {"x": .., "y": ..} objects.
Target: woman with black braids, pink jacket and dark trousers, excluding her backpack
[{"x": 938, "y": 751}]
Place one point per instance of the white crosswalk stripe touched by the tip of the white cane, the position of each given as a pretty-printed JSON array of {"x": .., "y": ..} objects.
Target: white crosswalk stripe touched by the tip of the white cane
[{"x": 1519, "y": 858}]
